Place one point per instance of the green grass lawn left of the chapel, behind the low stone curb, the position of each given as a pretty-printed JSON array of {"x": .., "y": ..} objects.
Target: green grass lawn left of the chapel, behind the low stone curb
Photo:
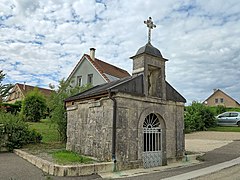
[{"x": 50, "y": 147}]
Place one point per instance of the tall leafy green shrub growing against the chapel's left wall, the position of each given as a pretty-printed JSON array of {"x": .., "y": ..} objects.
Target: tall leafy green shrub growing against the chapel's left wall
[{"x": 58, "y": 114}]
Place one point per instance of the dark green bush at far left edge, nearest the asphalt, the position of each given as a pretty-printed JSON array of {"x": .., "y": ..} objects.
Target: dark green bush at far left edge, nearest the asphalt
[{"x": 15, "y": 132}]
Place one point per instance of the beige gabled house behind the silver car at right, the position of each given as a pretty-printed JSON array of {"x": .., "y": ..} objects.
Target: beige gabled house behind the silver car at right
[{"x": 220, "y": 98}]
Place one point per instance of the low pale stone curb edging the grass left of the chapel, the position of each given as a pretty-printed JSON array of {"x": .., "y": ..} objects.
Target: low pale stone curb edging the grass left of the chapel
[{"x": 65, "y": 170}]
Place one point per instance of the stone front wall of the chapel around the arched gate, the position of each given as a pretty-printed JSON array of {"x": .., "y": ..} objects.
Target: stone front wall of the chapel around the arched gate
[{"x": 129, "y": 131}]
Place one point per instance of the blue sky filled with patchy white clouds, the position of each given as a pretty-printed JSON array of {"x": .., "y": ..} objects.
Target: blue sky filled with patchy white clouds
[{"x": 41, "y": 41}]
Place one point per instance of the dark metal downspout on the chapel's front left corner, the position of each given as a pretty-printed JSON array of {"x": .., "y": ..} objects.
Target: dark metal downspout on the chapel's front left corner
[{"x": 114, "y": 130}]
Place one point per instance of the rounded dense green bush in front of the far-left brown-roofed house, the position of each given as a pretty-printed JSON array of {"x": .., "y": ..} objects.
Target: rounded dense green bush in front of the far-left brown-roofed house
[{"x": 33, "y": 106}]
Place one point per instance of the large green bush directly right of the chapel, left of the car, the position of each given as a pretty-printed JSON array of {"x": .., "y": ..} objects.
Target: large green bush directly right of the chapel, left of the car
[{"x": 198, "y": 117}]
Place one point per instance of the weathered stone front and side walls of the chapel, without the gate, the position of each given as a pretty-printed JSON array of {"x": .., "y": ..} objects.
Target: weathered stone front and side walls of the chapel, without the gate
[{"x": 90, "y": 127}]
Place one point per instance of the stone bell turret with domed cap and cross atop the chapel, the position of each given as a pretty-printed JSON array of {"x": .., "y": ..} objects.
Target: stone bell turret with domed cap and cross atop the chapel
[{"x": 149, "y": 62}]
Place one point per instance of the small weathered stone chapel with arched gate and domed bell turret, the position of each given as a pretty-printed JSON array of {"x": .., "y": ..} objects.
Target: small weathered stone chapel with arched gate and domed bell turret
[{"x": 136, "y": 121}]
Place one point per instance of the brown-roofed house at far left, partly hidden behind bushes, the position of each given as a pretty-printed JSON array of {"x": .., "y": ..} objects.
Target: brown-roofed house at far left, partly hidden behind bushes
[{"x": 19, "y": 92}]
